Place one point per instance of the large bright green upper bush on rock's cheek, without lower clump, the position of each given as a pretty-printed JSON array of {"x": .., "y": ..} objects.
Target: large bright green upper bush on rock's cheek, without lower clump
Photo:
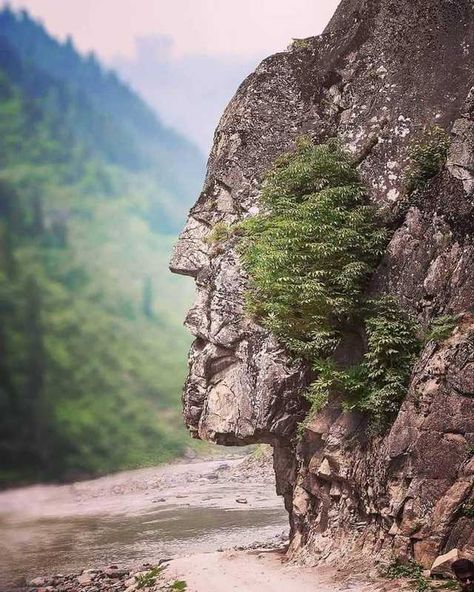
[{"x": 312, "y": 249}]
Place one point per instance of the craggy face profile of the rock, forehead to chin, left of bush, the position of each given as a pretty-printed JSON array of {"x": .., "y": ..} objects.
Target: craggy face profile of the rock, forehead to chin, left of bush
[{"x": 242, "y": 387}]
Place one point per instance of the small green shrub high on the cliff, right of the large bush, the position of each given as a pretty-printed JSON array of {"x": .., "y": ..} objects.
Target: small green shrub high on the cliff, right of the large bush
[{"x": 427, "y": 157}]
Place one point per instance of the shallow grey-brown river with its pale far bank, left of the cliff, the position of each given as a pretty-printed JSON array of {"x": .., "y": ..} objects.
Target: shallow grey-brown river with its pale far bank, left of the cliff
[{"x": 63, "y": 529}]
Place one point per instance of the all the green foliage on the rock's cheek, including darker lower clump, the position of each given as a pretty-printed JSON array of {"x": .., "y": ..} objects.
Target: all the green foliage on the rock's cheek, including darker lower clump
[{"x": 309, "y": 255}]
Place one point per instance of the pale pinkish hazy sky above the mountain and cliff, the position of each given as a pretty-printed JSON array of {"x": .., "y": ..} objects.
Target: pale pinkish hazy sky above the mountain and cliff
[{"x": 186, "y": 57}]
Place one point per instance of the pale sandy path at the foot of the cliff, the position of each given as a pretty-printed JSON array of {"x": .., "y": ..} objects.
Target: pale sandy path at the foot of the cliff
[{"x": 245, "y": 571}]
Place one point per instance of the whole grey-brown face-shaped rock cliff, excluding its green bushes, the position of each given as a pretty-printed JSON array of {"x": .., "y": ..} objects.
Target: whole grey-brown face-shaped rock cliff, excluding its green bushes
[{"x": 381, "y": 72}]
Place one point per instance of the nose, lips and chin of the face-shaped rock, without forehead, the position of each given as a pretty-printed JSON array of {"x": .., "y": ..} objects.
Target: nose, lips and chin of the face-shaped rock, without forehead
[{"x": 241, "y": 387}]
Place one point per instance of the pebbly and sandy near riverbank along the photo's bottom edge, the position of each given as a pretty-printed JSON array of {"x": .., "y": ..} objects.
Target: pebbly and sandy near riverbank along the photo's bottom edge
[{"x": 231, "y": 570}]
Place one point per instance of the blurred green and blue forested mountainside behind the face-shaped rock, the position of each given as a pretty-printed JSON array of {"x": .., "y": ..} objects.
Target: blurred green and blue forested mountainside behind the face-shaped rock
[{"x": 92, "y": 189}]
